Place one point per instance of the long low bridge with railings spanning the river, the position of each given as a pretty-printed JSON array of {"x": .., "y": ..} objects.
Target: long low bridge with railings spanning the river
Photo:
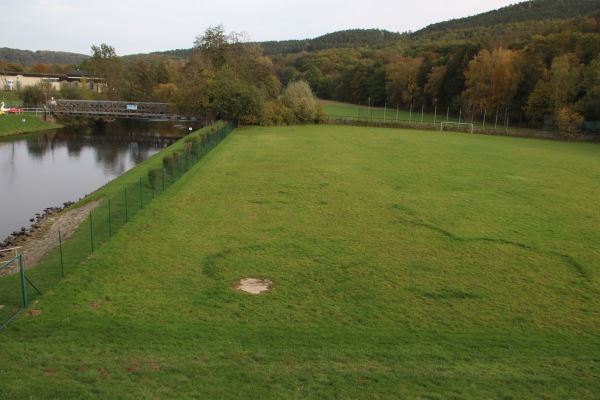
[{"x": 115, "y": 109}]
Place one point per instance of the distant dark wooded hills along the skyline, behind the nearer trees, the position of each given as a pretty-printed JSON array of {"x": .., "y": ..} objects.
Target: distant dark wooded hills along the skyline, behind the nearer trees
[{"x": 522, "y": 19}]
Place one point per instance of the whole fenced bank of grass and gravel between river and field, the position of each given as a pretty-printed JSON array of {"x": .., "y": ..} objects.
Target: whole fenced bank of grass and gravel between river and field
[{"x": 69, "y": 246}]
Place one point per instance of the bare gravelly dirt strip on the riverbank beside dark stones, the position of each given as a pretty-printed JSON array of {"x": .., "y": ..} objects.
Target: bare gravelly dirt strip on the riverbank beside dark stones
[{"x": 38, "y": 247}]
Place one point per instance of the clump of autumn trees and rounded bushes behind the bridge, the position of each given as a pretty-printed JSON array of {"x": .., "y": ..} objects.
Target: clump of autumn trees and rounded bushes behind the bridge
[{"x": 224, "y": 72}]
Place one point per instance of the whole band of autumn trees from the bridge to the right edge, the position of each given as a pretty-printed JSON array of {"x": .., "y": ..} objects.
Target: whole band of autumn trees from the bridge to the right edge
[{"x": 545, "y": 72}]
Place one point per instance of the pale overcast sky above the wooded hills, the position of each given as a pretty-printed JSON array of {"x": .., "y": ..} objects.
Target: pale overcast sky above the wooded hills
[{"x": 144, "y": 26}]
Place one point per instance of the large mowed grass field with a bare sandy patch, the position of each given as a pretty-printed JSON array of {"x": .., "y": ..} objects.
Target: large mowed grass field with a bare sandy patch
[{"x": 406, "y": 264}]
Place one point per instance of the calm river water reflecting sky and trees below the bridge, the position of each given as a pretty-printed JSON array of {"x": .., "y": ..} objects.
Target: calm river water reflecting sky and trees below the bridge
[{"x": 50, "y": 168}]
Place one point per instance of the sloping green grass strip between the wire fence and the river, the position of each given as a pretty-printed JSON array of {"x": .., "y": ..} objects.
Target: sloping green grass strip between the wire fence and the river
[{"x": 119, "y": 200}]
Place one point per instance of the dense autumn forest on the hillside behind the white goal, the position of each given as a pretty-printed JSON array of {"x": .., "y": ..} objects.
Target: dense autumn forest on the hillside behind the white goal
[{"x": 551, "y": 74}]
